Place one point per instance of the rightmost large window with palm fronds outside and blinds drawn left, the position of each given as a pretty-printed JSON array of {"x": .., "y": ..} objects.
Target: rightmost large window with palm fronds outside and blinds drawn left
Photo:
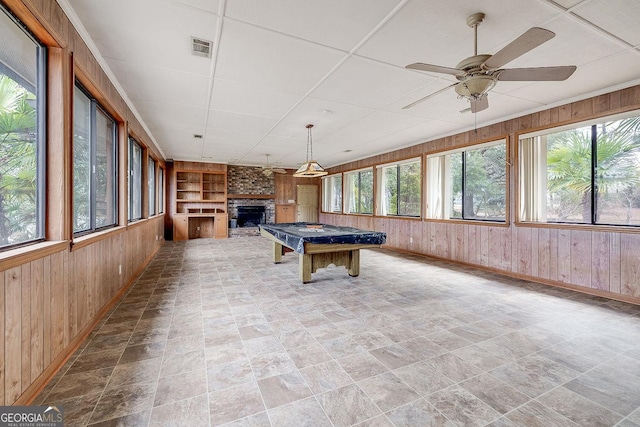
[{"x": 587, "y": 173}]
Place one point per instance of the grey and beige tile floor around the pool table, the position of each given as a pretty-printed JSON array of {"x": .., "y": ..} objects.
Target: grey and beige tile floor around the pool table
[{"x": 213, "y": 333}]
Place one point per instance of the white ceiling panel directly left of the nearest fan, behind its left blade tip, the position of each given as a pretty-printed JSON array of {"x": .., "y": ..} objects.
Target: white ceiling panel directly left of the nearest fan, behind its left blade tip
[{"x": 369, "y": 84}]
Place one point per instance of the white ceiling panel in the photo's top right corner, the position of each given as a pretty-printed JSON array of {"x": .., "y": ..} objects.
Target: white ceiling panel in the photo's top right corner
[{"x": 618, "y": 17}]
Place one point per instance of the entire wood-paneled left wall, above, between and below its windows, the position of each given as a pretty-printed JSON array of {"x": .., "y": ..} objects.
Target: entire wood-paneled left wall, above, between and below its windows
[{"x": 52, "y": 294}]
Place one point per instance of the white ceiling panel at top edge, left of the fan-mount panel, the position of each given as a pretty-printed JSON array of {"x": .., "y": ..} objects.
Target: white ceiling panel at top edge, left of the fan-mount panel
[{"x": 336, "y": 23}]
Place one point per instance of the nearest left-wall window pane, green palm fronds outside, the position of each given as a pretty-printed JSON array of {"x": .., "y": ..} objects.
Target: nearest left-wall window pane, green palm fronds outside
[{"x": 22, "y": 136}]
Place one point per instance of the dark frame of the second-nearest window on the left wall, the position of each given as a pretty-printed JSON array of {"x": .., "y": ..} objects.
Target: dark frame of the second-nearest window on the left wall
[{"x": 95, "y": 109}]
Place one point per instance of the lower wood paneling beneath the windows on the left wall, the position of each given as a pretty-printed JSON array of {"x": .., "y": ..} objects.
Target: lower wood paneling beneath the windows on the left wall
[{"x": 51, "y": 303}]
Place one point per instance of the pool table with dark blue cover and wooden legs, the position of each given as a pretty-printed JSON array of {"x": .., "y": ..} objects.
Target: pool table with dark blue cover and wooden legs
[{"x": 319, "y": 245}]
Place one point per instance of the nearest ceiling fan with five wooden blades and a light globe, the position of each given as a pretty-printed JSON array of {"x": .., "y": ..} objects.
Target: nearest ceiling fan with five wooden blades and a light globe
[{"x": 478, "y": 74}]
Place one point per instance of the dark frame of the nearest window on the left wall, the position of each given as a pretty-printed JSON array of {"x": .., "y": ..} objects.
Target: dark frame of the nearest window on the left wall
[{"x": 40, "y": 92}]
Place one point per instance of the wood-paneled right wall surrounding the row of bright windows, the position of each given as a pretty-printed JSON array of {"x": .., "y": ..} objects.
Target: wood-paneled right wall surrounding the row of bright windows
[{"x": 599, "y": 260}]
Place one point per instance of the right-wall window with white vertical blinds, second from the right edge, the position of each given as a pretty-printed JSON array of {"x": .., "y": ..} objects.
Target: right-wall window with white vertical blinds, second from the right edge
[{"x": 469, "y": 183}]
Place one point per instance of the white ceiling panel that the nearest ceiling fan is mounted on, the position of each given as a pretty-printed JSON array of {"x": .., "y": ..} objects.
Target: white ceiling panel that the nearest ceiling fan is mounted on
[{"x": 436, "y": 31}]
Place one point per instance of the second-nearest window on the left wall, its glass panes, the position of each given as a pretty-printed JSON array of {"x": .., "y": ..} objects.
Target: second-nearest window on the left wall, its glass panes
[{"x": 94, "y": 165}]
